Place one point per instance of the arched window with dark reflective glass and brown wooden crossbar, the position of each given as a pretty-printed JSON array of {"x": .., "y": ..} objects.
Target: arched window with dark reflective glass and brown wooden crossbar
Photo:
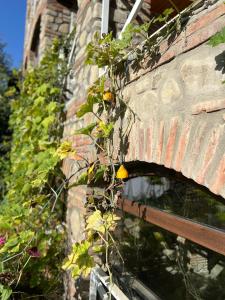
[{"x": 172, "y": 237}]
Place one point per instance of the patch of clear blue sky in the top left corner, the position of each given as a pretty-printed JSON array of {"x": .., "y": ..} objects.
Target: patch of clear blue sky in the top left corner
[{"x": 12, "y": 26}]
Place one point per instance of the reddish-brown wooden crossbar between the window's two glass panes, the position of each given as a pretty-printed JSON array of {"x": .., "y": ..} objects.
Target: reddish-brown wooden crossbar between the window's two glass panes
[{"x": 203, "y": 235}]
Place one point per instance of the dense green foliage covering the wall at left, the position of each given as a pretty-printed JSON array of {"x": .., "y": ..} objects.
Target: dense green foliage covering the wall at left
[{"x": 31, "y": 213}]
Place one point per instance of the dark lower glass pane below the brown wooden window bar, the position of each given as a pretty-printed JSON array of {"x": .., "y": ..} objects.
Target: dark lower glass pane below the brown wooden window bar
[{"x": 170, "y": 266}]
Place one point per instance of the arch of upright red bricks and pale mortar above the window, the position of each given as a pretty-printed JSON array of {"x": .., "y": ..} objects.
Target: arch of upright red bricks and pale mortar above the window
[{"x": 183, "y": 146}]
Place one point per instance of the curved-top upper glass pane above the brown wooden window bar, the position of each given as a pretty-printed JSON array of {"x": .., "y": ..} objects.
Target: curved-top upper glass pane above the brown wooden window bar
[{"x": 178, "y": 197}]
